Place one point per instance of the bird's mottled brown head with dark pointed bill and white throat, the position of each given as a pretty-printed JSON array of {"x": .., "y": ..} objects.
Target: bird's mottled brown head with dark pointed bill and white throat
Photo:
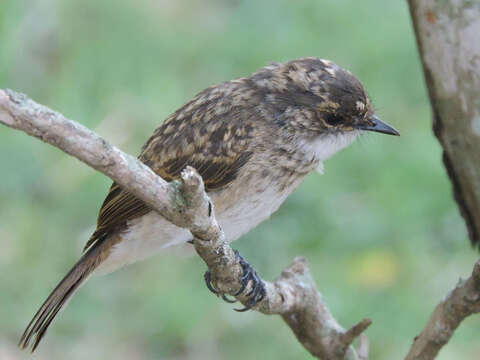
[{"x": 323, "y": 105}]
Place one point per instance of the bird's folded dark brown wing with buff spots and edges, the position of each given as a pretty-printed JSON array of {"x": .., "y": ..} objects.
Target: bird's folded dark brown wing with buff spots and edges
[{"x": 215, "y": 143}]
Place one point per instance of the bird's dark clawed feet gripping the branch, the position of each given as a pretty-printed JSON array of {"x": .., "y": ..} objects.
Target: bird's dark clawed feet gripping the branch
[{"x": 255, "y": 295}]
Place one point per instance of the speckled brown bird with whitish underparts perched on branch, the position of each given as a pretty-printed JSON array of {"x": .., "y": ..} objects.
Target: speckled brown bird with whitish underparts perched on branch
[{"x": 253, "y": 140}]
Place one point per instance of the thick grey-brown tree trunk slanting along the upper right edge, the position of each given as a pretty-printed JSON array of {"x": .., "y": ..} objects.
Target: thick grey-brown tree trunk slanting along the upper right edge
[{"x": 447, "y": 34}]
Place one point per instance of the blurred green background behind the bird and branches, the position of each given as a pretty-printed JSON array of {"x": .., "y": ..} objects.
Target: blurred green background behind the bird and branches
[{"x": 381, "y": 231}]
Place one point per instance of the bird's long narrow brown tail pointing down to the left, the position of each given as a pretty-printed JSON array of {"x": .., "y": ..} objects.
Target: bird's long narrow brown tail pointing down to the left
[{"x": 63, "y": 292}]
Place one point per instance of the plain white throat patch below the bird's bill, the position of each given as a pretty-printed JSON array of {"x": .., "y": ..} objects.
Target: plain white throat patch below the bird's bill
[{"x": 325, "y": 146}]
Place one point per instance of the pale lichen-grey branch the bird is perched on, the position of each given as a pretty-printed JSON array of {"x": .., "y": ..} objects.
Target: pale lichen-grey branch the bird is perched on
[{"x": 293, "y": 295}]
